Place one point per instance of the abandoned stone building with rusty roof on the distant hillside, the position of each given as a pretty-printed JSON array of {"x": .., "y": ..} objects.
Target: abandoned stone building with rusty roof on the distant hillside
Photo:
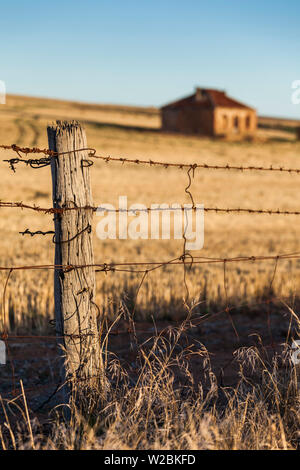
[{"x": 209, "y": 112}]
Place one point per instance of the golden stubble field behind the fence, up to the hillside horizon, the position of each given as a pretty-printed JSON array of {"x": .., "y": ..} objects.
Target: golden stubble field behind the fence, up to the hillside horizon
[{"x": 130, "y": 132}]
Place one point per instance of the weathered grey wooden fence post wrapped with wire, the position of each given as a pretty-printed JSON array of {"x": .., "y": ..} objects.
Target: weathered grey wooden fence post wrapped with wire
[{"x": 74, "y": 288}]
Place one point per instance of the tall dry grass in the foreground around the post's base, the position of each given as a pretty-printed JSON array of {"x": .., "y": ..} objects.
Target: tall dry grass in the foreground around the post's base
[{"x": 161, "y": 407}]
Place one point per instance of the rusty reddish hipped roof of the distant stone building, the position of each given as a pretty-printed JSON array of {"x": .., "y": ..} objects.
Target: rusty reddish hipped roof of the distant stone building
[{"x": 206, "y": 97}]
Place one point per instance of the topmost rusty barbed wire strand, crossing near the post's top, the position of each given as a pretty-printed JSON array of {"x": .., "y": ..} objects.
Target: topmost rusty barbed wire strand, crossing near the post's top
[{"x": 35, "y": 163}]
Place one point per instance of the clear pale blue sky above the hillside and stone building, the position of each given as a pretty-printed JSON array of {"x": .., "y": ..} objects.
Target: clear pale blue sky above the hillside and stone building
[{"x": 150, "y": 52}]
